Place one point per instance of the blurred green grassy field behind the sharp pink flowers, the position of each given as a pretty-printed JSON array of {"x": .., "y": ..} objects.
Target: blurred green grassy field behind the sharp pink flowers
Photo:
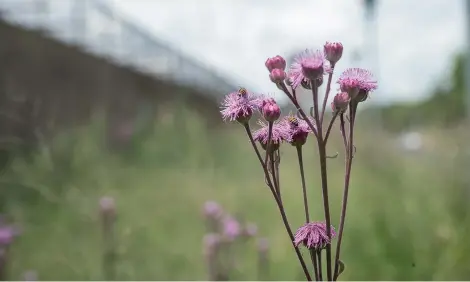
[{"x": 408, "y": 217}]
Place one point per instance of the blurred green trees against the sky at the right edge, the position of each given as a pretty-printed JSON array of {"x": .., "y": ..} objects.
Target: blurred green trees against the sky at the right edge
[{"x": 445, "y": 106}]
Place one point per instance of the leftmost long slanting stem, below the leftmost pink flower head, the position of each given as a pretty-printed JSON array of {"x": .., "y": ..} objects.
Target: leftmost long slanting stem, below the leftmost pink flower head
[{"x": 278, "y": 202}]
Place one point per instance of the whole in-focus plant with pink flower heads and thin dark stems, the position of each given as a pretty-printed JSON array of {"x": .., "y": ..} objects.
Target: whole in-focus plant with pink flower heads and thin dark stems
[{"x": 307, "y": 71}]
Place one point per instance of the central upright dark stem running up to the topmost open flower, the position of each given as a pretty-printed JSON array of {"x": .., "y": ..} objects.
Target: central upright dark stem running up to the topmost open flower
[{"x": 324, "y": 179}]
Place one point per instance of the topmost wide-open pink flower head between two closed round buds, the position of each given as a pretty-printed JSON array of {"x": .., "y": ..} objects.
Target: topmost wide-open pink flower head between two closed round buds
[{"x": 308, "y": 65}]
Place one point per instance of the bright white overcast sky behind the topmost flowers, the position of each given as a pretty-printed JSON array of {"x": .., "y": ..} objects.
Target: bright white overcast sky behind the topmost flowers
[{"x": 417, "y": 38}]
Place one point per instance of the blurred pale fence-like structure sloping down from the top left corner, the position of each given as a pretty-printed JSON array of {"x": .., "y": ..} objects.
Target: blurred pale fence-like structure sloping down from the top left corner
[{"x": 94, "y": 26}]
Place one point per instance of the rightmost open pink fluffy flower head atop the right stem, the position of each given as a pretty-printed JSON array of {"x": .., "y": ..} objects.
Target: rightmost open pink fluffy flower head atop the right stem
[{"x": 355, "y": 80}]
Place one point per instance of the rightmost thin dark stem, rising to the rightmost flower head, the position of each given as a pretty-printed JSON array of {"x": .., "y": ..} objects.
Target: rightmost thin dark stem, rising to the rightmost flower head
[{"x": 349, "y": 157}]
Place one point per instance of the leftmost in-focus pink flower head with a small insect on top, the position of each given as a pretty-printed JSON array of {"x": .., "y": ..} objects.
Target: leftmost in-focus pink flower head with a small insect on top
[{"x": 239, "y": 106}]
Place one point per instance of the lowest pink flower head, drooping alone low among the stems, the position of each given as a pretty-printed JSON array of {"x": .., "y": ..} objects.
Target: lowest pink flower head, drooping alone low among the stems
[{"x": 313, "y": 235}]
